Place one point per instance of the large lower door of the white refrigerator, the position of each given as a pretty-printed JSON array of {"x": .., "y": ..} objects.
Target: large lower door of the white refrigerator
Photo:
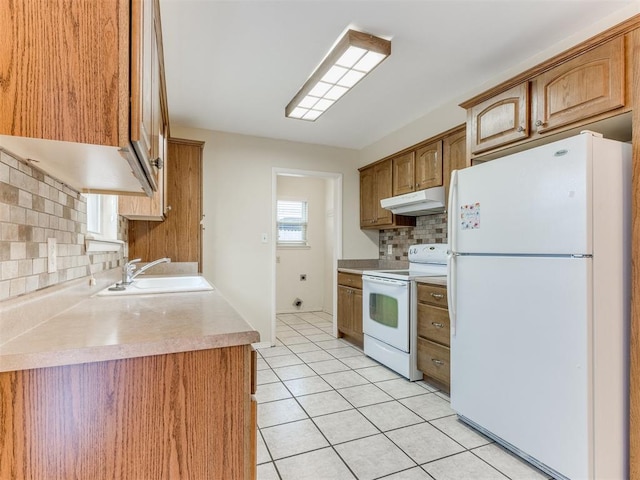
[{"x": 520, "y": 356}]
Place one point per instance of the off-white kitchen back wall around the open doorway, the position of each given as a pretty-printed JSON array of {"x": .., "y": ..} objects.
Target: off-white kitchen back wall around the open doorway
[{"x": 237, "y": 193}]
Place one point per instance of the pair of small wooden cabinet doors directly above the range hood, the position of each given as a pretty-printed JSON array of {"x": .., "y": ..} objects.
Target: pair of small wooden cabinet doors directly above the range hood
[{"x": 418, "y": 169}]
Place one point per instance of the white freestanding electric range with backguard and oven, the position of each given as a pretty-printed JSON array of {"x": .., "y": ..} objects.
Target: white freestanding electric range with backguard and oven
[{"x": 389, "y": 308}]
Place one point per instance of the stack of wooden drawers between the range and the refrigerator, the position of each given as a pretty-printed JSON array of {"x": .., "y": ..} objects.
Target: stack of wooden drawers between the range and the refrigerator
[{"x": 434, "y": 335}]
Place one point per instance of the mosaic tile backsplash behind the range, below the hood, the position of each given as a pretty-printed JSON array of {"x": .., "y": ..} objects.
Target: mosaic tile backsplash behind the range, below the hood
[{"x": 428, "y": 229}]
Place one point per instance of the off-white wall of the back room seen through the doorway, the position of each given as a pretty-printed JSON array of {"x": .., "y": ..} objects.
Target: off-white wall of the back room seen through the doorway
[{"x": 309, "y": 260}]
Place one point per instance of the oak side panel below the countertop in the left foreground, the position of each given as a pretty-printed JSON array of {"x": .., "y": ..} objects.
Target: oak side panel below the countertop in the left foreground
[{"x": 177, "y": 416}]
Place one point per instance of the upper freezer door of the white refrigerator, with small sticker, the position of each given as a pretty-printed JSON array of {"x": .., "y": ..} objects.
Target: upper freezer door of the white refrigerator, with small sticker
[{"x": 536, "y": 201}]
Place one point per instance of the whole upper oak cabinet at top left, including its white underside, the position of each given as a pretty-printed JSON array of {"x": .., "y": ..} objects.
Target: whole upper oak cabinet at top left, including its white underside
[{"x": 86, "y": 73}]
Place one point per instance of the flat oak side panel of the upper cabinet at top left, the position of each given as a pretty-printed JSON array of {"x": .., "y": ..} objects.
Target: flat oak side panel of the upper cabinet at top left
[{"x": 64, "y": 71}]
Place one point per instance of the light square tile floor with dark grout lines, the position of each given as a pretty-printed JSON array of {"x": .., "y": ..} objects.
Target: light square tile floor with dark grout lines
[{"x": 327, "y": 411}]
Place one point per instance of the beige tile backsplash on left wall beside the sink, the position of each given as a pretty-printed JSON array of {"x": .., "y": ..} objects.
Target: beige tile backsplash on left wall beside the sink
[{"x": 33, "y": 208}]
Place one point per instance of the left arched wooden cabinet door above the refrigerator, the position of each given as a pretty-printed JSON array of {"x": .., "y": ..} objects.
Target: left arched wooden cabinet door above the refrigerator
[{"x": 500, "y": 120}]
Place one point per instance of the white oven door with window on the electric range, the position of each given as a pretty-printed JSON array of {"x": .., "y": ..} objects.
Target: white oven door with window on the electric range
[{"x": 385, "y": 310}]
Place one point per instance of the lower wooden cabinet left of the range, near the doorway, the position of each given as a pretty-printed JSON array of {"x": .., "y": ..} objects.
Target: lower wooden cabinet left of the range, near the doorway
[{"x": 350, "y": 307}]
